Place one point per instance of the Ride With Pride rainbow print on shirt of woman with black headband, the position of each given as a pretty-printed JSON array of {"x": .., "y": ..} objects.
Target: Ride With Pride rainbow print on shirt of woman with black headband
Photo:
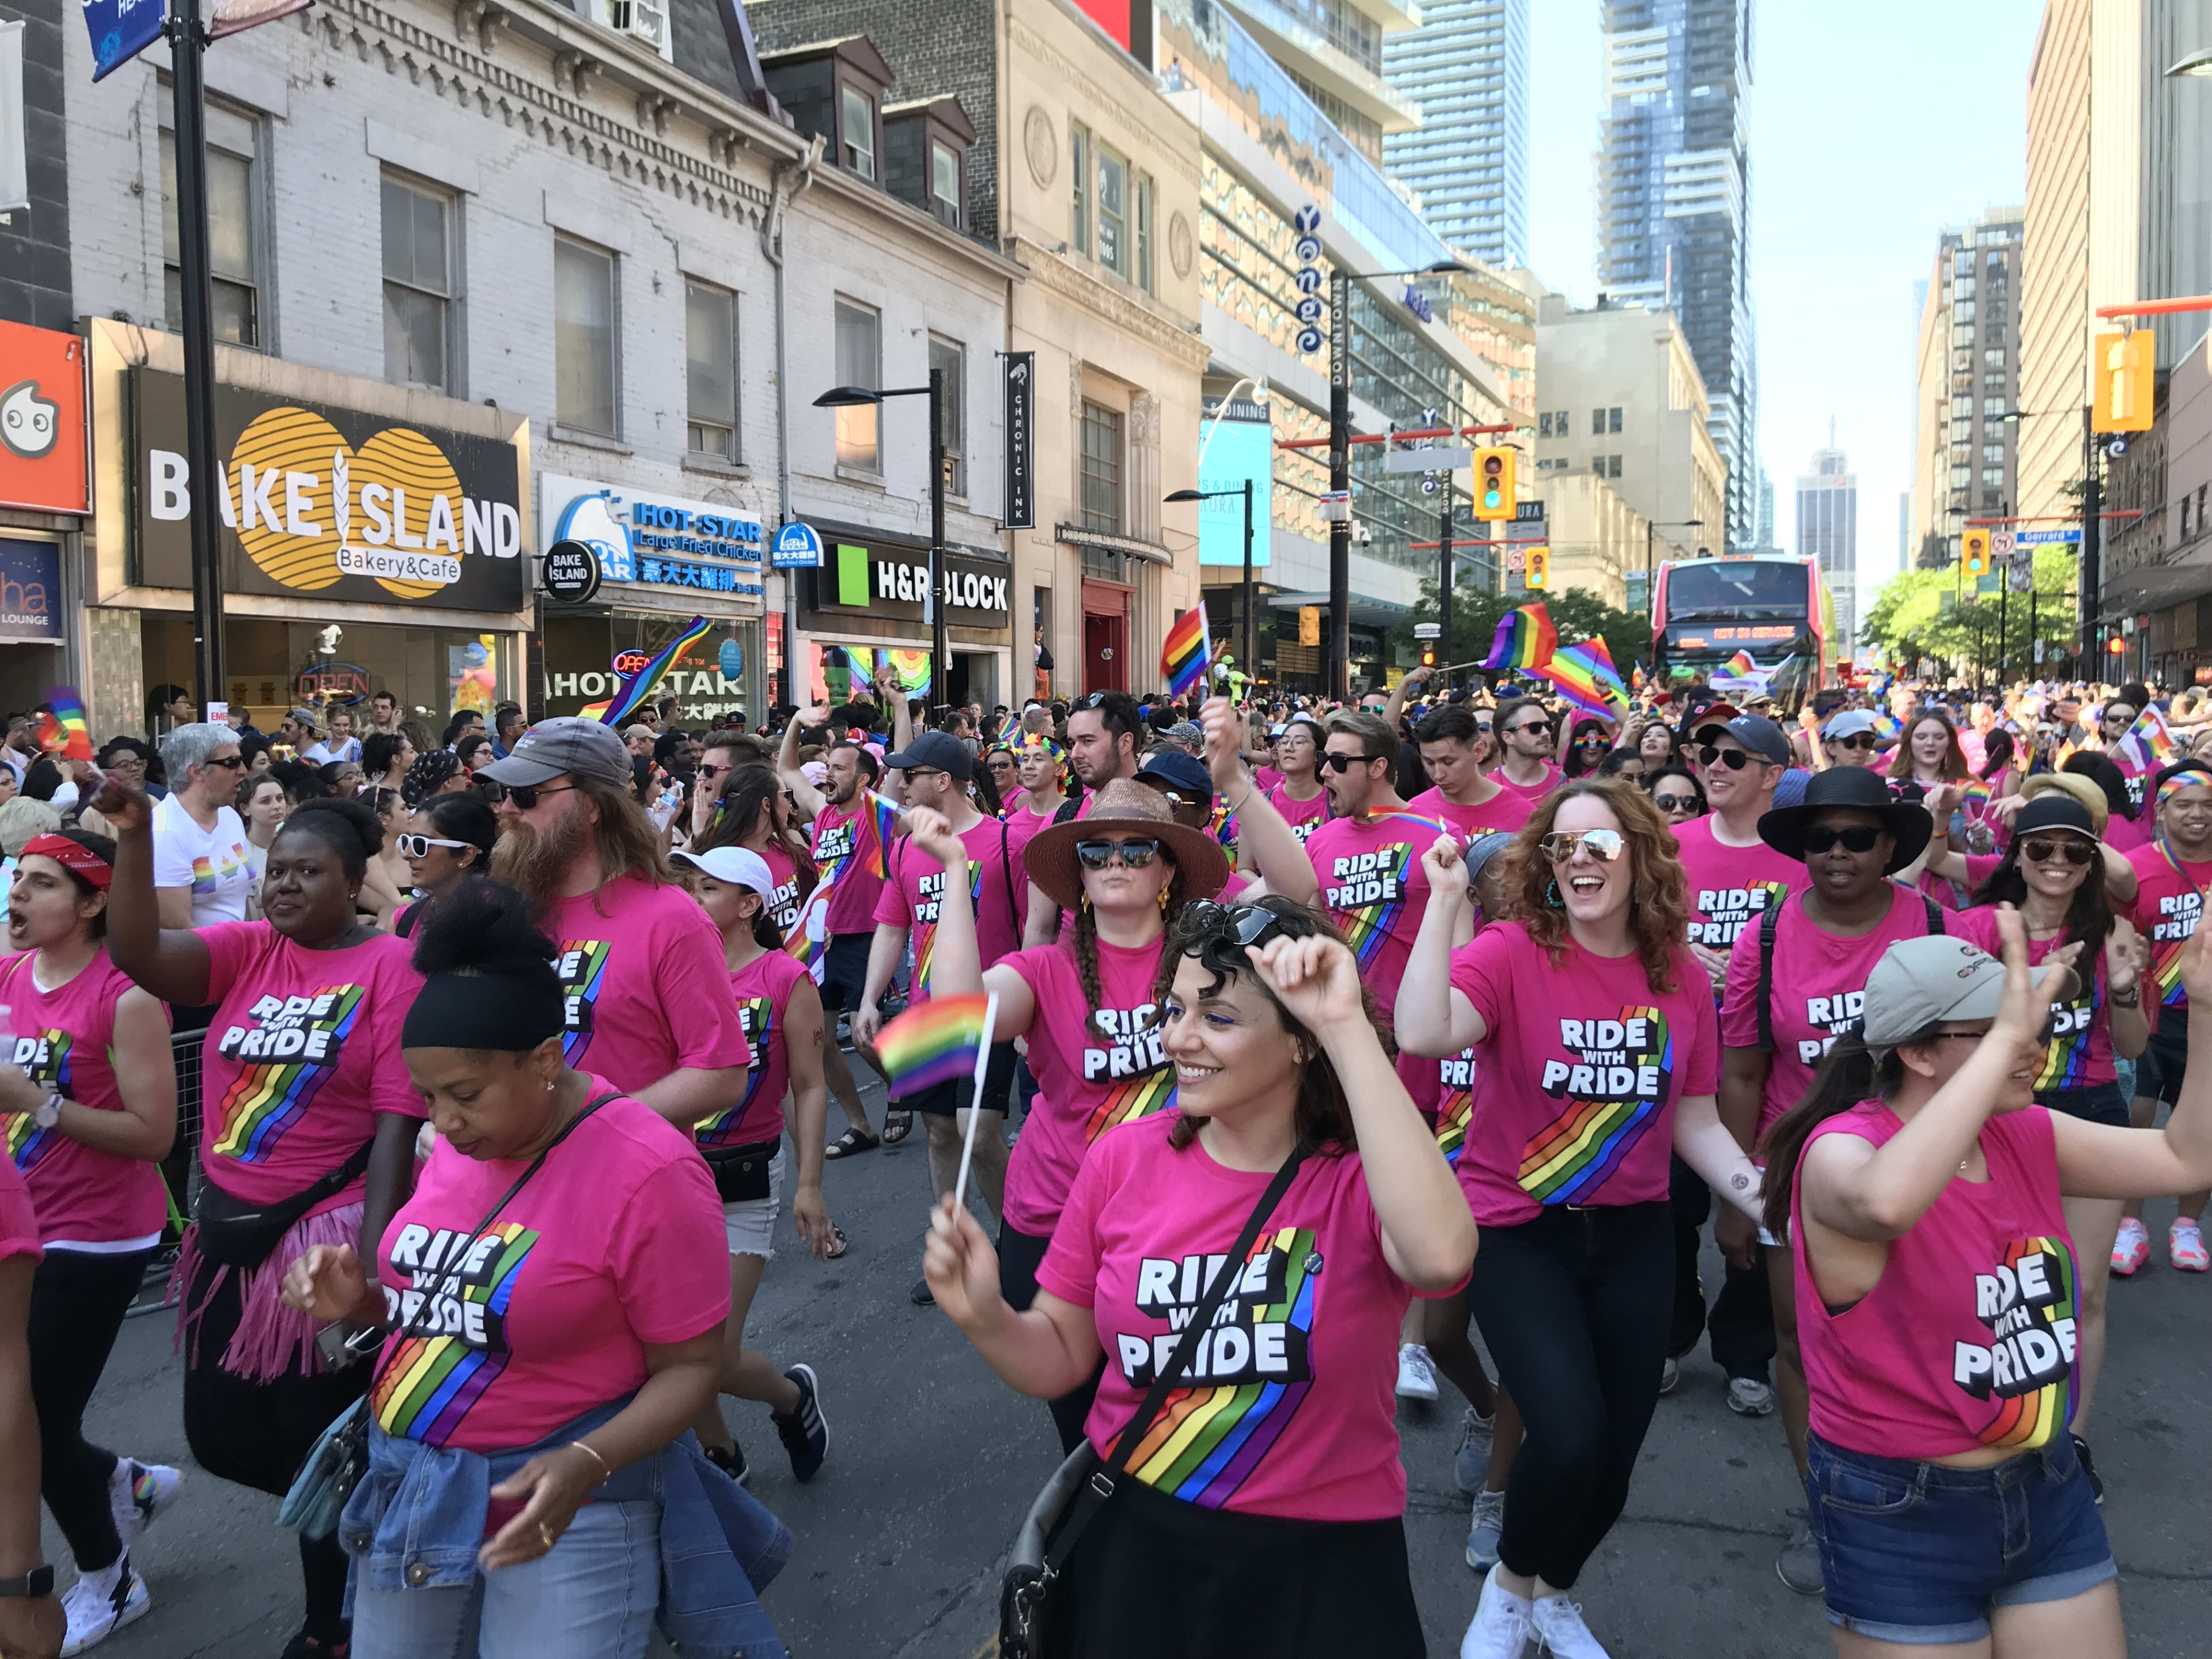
[{"x": 428, "y": 1384}]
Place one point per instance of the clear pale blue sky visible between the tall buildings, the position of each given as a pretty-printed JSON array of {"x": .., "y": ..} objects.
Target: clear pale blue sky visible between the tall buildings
[{"x": 1870, "y": 127}]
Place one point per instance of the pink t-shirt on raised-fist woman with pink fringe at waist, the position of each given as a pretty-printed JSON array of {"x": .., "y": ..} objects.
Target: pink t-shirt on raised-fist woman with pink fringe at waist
[{"x": 300, "y": 1058}]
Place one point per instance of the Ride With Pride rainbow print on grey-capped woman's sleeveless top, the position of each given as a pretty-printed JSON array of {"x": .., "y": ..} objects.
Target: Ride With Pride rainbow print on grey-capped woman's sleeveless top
[{"x": 2030, "y": 1364}]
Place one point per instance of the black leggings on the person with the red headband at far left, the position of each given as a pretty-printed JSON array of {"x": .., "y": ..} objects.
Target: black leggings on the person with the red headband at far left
[{"x": 79, "y": 1302}]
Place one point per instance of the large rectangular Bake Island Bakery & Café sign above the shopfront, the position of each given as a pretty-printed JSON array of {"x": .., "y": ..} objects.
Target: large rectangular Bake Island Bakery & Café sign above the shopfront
[{"x": 331, "y": 501}]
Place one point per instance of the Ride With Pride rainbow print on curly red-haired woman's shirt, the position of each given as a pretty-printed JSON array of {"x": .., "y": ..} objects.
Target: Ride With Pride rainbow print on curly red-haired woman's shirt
[{"x": 1585, "y": 1145}]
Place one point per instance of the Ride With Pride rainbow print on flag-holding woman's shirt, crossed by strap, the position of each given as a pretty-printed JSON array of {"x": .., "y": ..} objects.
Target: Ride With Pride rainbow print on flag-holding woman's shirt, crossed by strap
[{"x": 1255, "y": 1368}]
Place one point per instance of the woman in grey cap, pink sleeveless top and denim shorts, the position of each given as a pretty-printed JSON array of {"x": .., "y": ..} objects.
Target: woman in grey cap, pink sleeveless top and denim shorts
[{"x": 1923, "y": 1196}]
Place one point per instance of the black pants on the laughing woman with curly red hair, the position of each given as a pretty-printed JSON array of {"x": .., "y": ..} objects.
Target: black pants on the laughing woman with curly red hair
[{"x": 1576, "y": 1313}]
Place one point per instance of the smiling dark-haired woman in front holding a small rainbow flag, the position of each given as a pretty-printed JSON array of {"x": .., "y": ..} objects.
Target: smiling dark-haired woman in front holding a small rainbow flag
[{"x": 1258, "y": 1512}]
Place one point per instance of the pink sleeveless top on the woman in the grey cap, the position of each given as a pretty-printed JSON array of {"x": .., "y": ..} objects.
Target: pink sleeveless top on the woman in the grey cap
[{"x": 1968, "y": 1339}]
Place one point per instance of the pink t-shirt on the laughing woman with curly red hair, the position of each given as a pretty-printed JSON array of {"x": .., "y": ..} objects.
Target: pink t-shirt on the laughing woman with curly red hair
[{"x": 1583, "y": 1072}]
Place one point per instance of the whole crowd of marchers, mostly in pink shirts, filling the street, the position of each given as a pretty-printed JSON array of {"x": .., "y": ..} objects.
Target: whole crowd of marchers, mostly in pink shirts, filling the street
[{"x": 1324, "y": 1041}]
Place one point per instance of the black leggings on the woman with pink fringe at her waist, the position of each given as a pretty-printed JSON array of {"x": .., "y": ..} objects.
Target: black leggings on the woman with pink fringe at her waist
[{"x": 258, "y": 1434}]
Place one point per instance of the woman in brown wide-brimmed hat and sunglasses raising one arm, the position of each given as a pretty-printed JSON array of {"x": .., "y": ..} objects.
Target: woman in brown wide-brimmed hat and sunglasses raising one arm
[{"x": 1087, "y": 1005}]
